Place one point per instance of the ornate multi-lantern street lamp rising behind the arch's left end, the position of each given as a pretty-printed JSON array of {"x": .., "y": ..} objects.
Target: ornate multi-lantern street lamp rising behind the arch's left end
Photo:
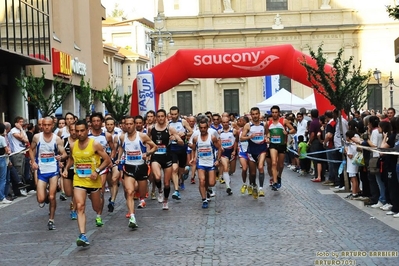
[{"x": 159, "y": 37}]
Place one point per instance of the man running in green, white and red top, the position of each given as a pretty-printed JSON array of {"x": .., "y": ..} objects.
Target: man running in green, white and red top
[{"x": 277, "y": 132}]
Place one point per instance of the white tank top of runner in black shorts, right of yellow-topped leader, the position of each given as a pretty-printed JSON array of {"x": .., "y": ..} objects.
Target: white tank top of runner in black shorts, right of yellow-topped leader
[{"x": 134, "y": 150}]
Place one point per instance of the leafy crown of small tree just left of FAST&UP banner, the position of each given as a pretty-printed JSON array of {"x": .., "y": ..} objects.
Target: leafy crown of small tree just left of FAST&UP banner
[{"x": 117, "y": 105}]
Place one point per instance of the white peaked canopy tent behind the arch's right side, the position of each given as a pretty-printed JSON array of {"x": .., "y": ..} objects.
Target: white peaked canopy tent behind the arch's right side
[{"x": 285, "y": 100}]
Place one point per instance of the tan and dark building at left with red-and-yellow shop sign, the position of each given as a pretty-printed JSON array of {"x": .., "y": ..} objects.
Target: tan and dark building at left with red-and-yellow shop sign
[{"x": 64, "y": 40}]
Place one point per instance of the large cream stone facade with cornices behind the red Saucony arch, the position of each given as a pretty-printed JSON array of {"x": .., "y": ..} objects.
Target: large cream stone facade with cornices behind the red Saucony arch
[{"x": 363, "y": 28}]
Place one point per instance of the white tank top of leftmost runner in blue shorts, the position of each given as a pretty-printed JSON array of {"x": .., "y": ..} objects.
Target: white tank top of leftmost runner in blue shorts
[{"x": 45, "y": 155}]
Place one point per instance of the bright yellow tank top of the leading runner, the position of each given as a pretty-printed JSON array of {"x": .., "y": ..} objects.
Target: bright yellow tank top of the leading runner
[{"x": 85, "y": 163}]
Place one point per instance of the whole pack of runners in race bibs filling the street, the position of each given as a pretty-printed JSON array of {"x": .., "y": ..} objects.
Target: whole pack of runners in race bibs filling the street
[{"x": 145, "y": 155}]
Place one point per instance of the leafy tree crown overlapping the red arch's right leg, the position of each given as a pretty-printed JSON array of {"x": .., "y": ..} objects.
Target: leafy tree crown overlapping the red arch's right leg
[{"x": 345, "y": 86}]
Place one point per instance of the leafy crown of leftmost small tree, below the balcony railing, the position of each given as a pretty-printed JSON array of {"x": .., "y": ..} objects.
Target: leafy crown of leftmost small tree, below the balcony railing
[{"x": 32, "y": 90}]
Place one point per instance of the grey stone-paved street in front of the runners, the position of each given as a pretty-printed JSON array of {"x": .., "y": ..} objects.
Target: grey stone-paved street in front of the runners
[{"x": 304, "y": 223}]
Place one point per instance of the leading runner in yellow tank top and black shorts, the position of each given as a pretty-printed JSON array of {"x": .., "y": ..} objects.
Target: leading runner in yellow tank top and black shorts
[{"x": 85, "y": 156}]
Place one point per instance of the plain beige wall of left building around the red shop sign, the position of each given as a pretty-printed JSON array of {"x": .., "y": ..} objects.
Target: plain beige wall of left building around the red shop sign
[{"x": 77, "y": 29}]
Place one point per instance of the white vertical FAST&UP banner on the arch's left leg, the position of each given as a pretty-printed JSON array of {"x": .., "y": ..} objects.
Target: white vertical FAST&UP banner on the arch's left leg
[{"x": 145, "y": 91}]
